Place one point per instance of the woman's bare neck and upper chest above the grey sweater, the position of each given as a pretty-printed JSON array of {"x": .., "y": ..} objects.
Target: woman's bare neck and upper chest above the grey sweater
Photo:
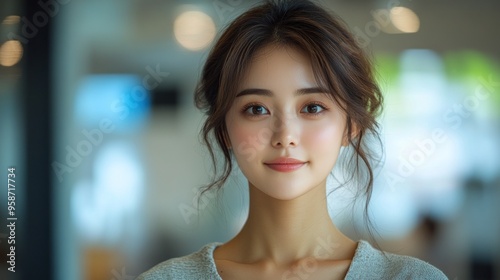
[{"x": 283, "y": 232}]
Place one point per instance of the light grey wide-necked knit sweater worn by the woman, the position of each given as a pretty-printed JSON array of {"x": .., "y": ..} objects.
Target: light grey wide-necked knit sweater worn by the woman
[{"x": 367, "y": 263}]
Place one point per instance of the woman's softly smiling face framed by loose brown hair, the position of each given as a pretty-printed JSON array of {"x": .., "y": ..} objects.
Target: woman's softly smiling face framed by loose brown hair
[{"x": 285, "y": 132}]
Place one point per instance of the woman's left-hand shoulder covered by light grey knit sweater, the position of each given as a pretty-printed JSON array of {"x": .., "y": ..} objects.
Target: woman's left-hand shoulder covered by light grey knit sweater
[{"x": 198, "y": 265}]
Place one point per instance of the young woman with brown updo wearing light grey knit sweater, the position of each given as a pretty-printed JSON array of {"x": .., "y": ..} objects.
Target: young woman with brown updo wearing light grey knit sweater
[{"x": 284, "y": 88}]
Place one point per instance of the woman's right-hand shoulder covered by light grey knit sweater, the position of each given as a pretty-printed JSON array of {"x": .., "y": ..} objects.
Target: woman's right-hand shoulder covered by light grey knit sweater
[{"x": 370, "y": 263}]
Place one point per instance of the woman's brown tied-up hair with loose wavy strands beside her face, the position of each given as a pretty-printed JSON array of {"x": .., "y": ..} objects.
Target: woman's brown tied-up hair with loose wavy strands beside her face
[{"x": 339, "y": 65}]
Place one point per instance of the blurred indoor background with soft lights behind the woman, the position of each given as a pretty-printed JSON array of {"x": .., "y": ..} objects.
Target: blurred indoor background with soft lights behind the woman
[{"x": 97, "y": 118}]
